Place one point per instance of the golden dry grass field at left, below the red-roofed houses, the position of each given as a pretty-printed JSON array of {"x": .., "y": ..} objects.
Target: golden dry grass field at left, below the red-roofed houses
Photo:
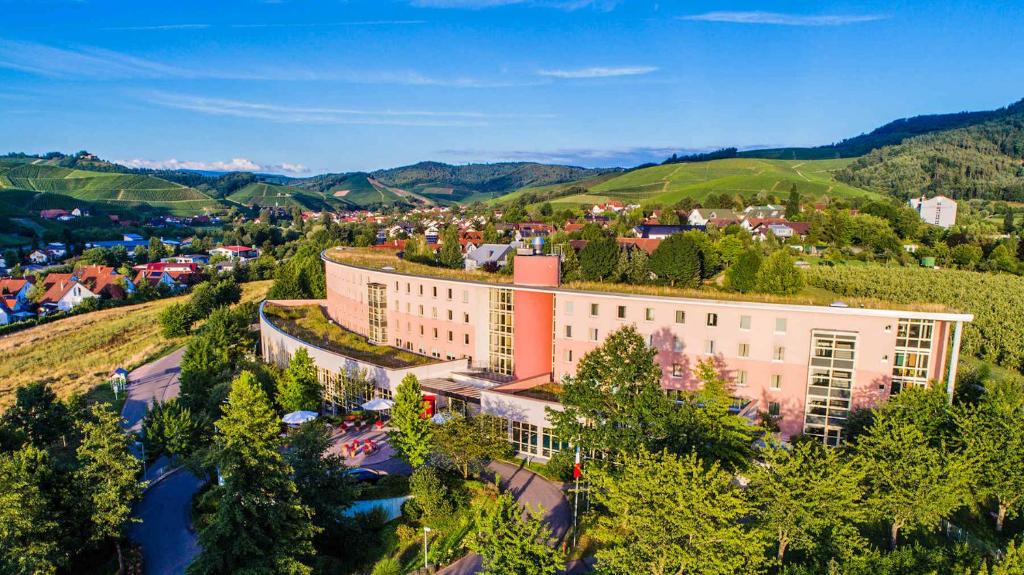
[{"x": 76, "y": 355}]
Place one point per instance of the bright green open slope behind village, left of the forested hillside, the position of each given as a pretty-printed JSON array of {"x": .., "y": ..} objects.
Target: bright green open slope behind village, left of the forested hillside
[{"x": 747, "y": 178}]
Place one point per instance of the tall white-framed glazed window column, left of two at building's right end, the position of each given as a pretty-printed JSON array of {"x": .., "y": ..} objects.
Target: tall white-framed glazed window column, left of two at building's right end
[{"x": 829, "y": 385}]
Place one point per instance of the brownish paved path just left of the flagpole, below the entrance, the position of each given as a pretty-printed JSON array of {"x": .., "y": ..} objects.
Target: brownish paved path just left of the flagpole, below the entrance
[{"x": 529, "y": 489}]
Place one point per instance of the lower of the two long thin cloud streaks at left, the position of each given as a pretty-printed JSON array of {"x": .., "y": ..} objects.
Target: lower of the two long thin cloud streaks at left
[{"x": 331, "y": 116}]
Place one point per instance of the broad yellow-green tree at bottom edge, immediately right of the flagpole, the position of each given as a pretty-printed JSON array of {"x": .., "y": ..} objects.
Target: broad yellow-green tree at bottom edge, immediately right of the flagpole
[{"x": 668, "y": 514}]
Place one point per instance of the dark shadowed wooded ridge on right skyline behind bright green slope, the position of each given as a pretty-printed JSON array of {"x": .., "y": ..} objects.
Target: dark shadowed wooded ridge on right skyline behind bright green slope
[{"x": 890, "y": 135}]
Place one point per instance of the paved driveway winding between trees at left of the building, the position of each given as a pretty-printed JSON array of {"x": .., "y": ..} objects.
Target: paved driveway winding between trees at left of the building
[{"x": 165, "y": 536}]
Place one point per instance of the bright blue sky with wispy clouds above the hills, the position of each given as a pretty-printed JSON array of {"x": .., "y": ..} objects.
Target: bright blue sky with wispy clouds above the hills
[{"x": 302, "y": 86}]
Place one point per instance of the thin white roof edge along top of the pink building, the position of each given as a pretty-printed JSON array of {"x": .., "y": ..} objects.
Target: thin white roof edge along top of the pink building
[{"x": 800, "y": 308}]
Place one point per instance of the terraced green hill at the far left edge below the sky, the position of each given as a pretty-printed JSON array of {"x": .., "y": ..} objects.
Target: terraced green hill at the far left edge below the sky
[{"x": 117, "y": 190}]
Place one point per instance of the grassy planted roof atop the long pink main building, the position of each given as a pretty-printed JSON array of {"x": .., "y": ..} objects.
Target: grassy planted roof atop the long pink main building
[{"x": 378, "y": 260}]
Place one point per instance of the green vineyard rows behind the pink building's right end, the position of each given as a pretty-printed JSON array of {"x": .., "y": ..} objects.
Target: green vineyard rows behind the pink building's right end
[{"x": 996, "y": 300}]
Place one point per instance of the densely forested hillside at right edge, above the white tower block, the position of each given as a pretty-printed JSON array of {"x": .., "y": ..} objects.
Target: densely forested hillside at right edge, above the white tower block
[{"x": 984, "y": 161}]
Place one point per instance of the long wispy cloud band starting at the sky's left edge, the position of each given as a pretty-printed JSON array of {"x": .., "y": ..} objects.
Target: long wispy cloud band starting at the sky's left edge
[{"x": 98, "y": 64}]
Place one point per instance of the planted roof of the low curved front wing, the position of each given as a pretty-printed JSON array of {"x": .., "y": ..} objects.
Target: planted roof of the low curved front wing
[{"x": 311, "y": 324}]
